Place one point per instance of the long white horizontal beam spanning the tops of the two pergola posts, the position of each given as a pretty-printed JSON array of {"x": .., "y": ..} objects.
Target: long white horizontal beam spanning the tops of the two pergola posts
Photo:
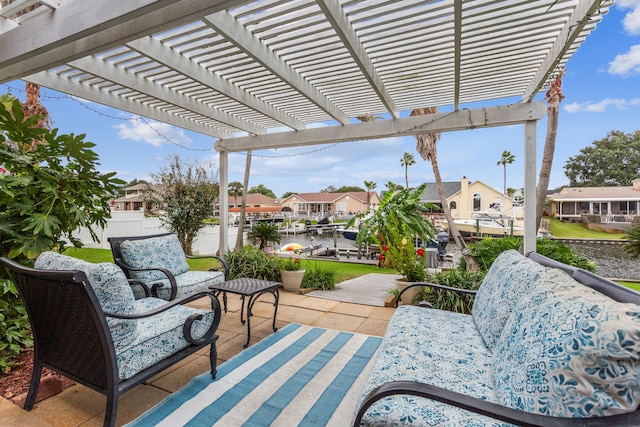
[{"x": 442, "y": 122}]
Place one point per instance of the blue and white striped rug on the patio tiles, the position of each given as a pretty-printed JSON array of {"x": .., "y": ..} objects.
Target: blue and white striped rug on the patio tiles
[{"x": 300, "y": 375}]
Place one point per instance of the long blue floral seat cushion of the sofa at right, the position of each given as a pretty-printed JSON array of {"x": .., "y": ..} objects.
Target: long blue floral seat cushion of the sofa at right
[{"x": 435, "y": 347}]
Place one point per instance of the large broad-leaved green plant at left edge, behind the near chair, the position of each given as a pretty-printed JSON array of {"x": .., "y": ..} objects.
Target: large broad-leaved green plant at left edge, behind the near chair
[{"x": 51, "y": 187}]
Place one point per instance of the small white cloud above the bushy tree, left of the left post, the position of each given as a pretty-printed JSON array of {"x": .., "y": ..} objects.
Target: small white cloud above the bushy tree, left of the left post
[{"x": 152, "y": 132}]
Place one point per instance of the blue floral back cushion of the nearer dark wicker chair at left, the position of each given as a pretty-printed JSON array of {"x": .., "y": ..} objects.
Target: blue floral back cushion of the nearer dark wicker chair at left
[{"x": 108, "y": 283}]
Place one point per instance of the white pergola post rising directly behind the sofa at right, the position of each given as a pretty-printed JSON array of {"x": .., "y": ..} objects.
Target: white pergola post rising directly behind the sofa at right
[{"x": 530, "y": 226}]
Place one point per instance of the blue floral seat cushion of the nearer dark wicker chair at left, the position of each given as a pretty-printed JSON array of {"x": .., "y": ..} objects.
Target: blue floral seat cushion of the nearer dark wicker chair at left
[{"x": 159, "y": 336}]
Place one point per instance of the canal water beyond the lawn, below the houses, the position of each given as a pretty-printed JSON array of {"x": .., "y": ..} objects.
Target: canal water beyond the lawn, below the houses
[{"x": 609, "y": 259}]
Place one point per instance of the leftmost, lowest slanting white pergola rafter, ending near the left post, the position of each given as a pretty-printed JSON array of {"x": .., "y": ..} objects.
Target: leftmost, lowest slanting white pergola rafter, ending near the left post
[{"x": 61, "y": 84}]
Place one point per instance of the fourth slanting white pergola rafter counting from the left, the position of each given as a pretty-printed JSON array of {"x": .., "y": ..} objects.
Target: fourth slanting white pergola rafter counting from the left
[{"x": 226, "y": 25}]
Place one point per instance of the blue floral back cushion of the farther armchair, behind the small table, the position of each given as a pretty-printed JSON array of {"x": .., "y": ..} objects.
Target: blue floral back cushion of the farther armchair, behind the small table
[{"x": 154, "y": 252}]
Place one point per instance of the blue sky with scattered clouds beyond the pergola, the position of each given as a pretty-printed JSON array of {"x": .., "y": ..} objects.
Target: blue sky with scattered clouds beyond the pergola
[{"x": 602, "y": 93}]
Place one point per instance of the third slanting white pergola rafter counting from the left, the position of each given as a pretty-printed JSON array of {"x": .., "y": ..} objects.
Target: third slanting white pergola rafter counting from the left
[{"x": 155, "y": 50}]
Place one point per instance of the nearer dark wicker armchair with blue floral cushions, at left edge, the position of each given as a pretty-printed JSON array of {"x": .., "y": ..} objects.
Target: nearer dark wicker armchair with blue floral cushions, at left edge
[{"x": 87, "y": 326}]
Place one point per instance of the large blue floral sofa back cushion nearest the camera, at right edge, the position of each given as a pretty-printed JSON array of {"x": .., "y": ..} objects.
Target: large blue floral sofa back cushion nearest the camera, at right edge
[{"x": 569, "y": 351}]
